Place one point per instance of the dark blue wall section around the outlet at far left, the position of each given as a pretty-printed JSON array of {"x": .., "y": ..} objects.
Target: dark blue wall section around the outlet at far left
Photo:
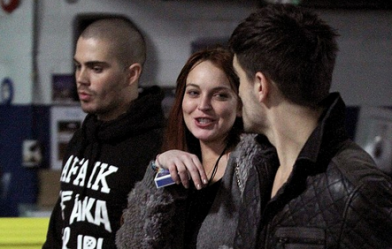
[{"x": 19, "y": 184}]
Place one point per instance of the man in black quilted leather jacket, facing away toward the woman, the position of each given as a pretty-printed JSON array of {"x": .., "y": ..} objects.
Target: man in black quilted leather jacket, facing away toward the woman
[{"x": 326, "y": 191}]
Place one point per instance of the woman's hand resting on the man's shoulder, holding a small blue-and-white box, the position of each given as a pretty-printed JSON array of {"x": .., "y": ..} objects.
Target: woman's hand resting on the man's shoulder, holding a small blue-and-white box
[{"x": 183, "y": 166}]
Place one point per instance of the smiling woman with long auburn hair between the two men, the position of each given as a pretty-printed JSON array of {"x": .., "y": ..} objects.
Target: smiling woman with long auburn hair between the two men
[{"x": 205, "y": 155}]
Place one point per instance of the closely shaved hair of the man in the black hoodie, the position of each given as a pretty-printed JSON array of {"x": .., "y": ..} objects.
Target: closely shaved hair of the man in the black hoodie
[{"x": 126, "y": 40}]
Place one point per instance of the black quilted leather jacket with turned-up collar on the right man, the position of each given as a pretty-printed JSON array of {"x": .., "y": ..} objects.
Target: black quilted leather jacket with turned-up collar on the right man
[{"x": 335, "y": 197}]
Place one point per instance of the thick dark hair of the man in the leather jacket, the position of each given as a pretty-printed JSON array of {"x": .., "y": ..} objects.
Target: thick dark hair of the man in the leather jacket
[{"x": 292, "y": 46}]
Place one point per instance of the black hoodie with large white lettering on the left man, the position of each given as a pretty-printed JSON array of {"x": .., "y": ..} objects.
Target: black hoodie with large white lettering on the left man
[{"x": 102, "y": 163}]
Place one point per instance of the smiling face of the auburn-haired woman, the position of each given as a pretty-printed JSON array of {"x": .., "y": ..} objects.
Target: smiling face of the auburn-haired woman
[{"x": 210, "y": 106}]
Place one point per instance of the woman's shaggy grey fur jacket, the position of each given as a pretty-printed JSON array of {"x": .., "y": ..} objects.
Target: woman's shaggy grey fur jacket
[{"x": 155, "y": 217}]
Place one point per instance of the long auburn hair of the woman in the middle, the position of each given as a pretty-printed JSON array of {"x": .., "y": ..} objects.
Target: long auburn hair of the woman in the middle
[{"x": 177, "y": 136}]
